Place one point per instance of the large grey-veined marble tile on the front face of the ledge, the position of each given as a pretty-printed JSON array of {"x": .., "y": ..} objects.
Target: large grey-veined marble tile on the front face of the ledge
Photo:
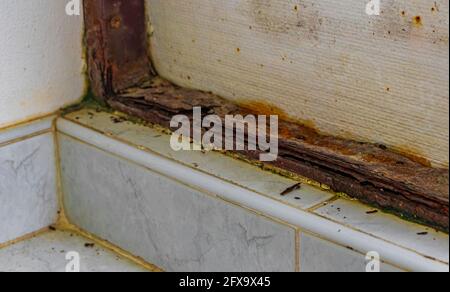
[{"x": 169, "y": 224}]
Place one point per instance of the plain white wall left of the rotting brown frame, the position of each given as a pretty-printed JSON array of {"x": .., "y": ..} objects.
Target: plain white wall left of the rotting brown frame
[{"x": 41, "y": 65}]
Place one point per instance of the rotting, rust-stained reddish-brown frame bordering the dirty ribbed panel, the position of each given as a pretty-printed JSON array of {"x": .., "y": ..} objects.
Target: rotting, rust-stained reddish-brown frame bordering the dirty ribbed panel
[{"x": 121, "y": 75}]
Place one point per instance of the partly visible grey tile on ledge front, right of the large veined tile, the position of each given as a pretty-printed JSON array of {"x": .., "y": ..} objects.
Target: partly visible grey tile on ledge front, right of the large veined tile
[{"x": 317, "y": 255}]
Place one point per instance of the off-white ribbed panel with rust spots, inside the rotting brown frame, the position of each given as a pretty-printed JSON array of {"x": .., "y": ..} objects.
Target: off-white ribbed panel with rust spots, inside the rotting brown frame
[{"x": 377, "y": 78}]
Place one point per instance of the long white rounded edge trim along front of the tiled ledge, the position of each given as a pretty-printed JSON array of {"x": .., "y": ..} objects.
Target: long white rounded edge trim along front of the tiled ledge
[{"x": 338, "y": 233}]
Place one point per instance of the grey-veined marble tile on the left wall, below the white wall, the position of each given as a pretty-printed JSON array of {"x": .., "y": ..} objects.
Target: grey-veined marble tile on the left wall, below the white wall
[{"x": 28, "y": 200}]
